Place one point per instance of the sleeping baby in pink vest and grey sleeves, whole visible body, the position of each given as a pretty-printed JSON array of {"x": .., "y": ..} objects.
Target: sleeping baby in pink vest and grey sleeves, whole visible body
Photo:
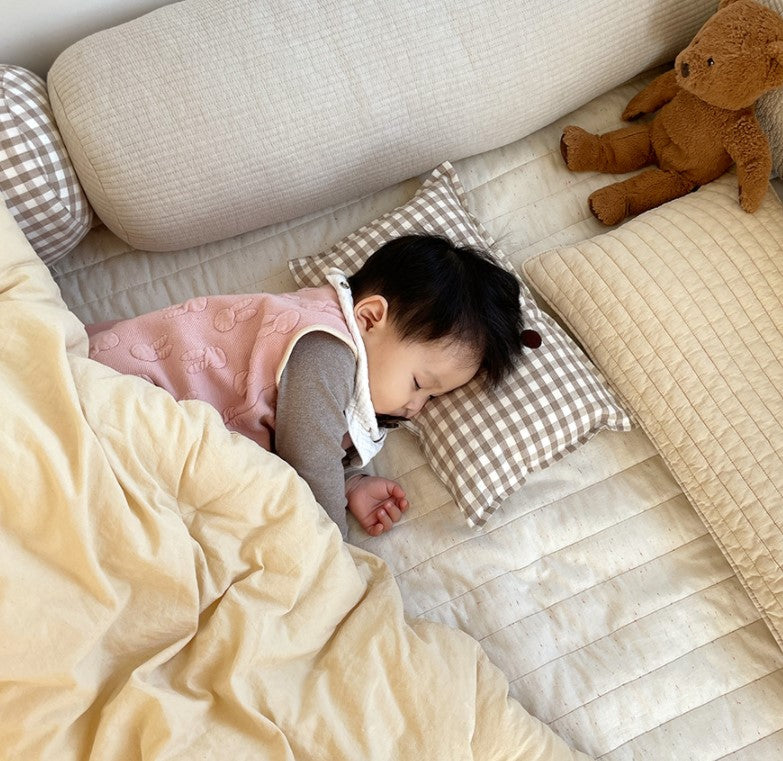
[{"x": 319, "y": 375}]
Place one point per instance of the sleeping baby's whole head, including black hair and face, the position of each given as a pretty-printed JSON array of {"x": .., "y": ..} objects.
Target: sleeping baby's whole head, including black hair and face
[{"x": 432, "y": 316}]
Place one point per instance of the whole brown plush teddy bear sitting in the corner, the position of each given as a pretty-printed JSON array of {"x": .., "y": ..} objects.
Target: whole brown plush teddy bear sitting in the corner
[{"x": 705, "y": 123}]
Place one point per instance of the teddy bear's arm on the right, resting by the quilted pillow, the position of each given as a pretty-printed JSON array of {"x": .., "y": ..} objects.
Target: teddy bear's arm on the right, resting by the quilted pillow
[{"x": 747, "y": 145}]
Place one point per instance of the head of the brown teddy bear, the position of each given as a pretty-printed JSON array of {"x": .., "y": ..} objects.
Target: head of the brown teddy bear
[{"x": 735, "y": 57}]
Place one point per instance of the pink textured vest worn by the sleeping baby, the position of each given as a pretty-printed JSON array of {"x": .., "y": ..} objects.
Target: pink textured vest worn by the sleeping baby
[{"x": 229, "y": 351}]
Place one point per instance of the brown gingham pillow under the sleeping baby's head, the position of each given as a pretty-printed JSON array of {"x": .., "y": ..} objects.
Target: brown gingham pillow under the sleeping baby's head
[{"x": 483, "y": 442}]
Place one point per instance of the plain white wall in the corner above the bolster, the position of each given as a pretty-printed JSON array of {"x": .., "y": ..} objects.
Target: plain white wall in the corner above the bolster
[{"x": 34, "y": 32}]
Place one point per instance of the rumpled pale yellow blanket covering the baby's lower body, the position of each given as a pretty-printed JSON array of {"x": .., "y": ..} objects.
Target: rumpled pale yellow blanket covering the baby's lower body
[{"x": 168, "y": 590}]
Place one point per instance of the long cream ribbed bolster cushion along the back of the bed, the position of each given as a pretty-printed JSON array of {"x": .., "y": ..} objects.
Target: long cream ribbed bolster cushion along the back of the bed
[{"x": 208, "y": 118}]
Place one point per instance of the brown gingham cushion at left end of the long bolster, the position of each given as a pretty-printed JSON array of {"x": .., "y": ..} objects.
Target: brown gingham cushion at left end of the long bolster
[{"x": 37, "y": 181}]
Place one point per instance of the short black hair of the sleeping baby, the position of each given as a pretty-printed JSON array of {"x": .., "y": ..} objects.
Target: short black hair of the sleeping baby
[{"x": 436, "y": 289}]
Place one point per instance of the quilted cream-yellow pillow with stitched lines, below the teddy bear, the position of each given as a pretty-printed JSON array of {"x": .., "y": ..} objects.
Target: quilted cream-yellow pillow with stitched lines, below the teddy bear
[{"x": 682, "y": 309}]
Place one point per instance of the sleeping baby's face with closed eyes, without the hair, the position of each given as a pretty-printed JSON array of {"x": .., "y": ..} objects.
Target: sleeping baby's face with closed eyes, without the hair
[{"x": 404, "y": 375}]
